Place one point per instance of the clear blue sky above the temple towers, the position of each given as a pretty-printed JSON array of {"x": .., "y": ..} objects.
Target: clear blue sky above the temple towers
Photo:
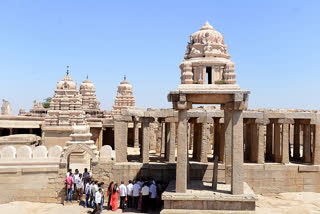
[{"x": 275, "y": 45}]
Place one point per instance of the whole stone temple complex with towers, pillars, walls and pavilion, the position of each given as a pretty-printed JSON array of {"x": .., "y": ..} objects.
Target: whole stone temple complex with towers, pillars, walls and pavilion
[{"x": 214, "y": 157}]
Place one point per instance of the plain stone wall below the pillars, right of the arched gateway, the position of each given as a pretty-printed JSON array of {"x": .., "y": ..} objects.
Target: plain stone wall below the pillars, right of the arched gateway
[{"x": 262, "y": 178}]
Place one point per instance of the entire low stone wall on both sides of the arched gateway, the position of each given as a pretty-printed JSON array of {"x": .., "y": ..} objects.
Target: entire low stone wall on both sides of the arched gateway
[{"x": 37, "y": 174}]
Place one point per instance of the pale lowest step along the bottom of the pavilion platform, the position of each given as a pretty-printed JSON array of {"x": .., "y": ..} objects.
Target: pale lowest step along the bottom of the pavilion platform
[{"x": 182, "y": 211}]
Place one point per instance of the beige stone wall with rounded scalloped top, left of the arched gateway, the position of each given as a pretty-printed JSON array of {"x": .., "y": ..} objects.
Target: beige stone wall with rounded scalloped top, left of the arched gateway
[{"x": 31, "y": 174}]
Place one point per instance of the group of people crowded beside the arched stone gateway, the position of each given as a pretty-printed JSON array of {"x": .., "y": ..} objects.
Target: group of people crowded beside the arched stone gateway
[{"x": 140, "y": 194}]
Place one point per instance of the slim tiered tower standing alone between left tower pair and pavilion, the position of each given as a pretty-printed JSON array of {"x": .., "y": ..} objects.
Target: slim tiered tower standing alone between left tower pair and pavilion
[{"x": 124, "y": 99}]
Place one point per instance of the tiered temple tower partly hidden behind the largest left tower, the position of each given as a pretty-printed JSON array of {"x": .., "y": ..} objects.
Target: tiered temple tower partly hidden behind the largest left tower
[{"x": 90, "y": 103}]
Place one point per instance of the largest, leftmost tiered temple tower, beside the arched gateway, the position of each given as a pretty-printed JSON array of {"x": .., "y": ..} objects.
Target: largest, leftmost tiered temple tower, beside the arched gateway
[{"x": 66, "y": 105}]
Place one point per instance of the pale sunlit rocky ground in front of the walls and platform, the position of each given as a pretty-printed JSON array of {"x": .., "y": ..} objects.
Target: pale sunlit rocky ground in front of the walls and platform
[{"x": 293, "y": 203}]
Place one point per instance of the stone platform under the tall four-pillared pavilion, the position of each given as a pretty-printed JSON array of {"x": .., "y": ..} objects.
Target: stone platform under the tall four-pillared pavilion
[{"x": 201, "y": 197}]
